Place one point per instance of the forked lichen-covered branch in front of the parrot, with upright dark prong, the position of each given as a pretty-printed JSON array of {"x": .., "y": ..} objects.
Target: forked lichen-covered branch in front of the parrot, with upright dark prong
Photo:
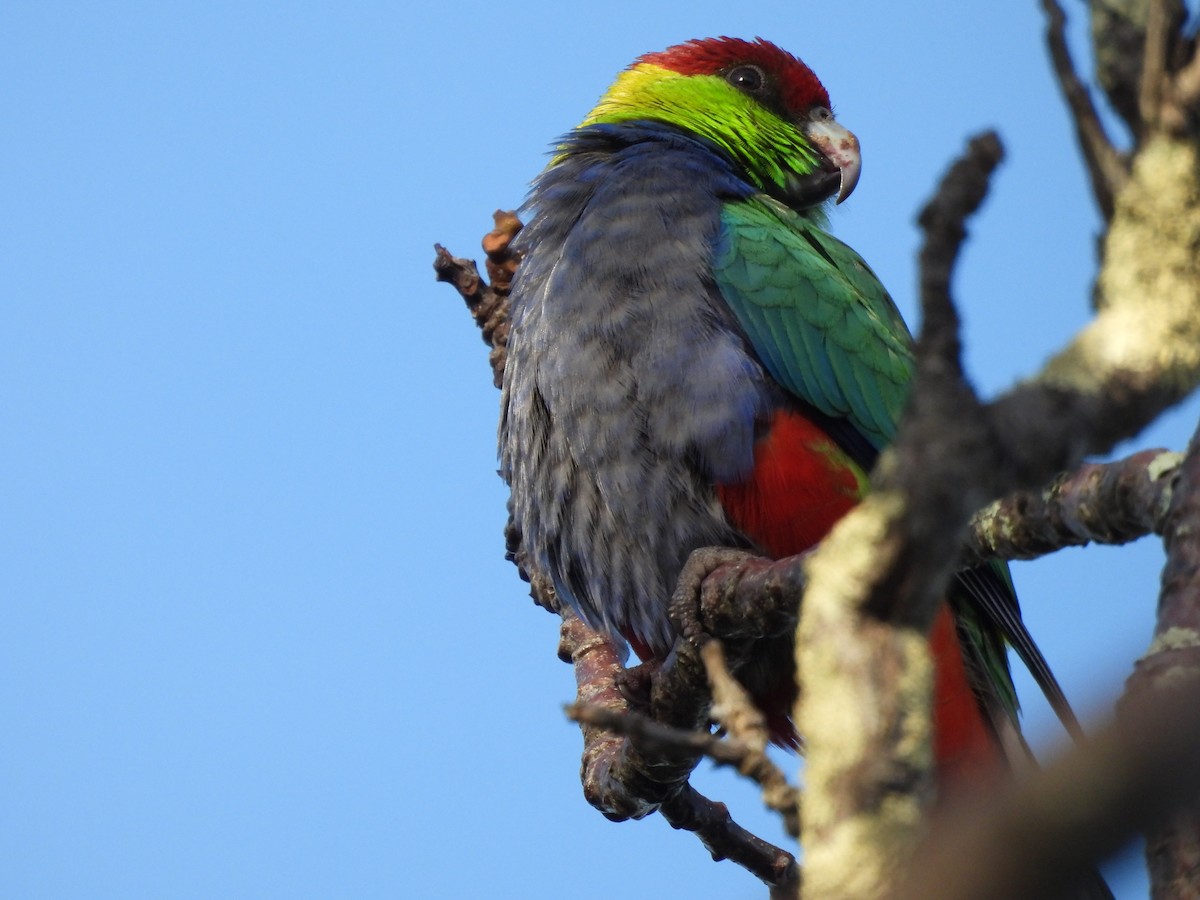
[{"x": 877, "y": 580}]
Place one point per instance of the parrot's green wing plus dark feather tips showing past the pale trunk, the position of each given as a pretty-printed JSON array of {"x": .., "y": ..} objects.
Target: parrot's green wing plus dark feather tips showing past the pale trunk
[{"x": 826, "y": 329}]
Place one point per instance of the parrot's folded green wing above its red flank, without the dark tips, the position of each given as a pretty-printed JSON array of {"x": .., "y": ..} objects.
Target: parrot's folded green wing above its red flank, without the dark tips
[{"x": 817, "y": 315}]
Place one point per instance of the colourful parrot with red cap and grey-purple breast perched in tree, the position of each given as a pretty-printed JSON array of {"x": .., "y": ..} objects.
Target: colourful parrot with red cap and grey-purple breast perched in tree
[{"x": 695, "y": 361}]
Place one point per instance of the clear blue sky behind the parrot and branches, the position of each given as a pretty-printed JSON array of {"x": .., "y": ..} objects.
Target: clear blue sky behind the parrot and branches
[{"x": 260, "y": 639}]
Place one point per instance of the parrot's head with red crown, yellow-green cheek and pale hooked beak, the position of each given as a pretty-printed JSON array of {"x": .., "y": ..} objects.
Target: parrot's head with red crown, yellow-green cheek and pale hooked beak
[{"x": 759, "y": 104}]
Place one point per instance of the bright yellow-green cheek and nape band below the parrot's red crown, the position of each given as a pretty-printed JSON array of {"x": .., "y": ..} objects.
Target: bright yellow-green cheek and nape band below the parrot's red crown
[{"x": 770, "y": 148}]
